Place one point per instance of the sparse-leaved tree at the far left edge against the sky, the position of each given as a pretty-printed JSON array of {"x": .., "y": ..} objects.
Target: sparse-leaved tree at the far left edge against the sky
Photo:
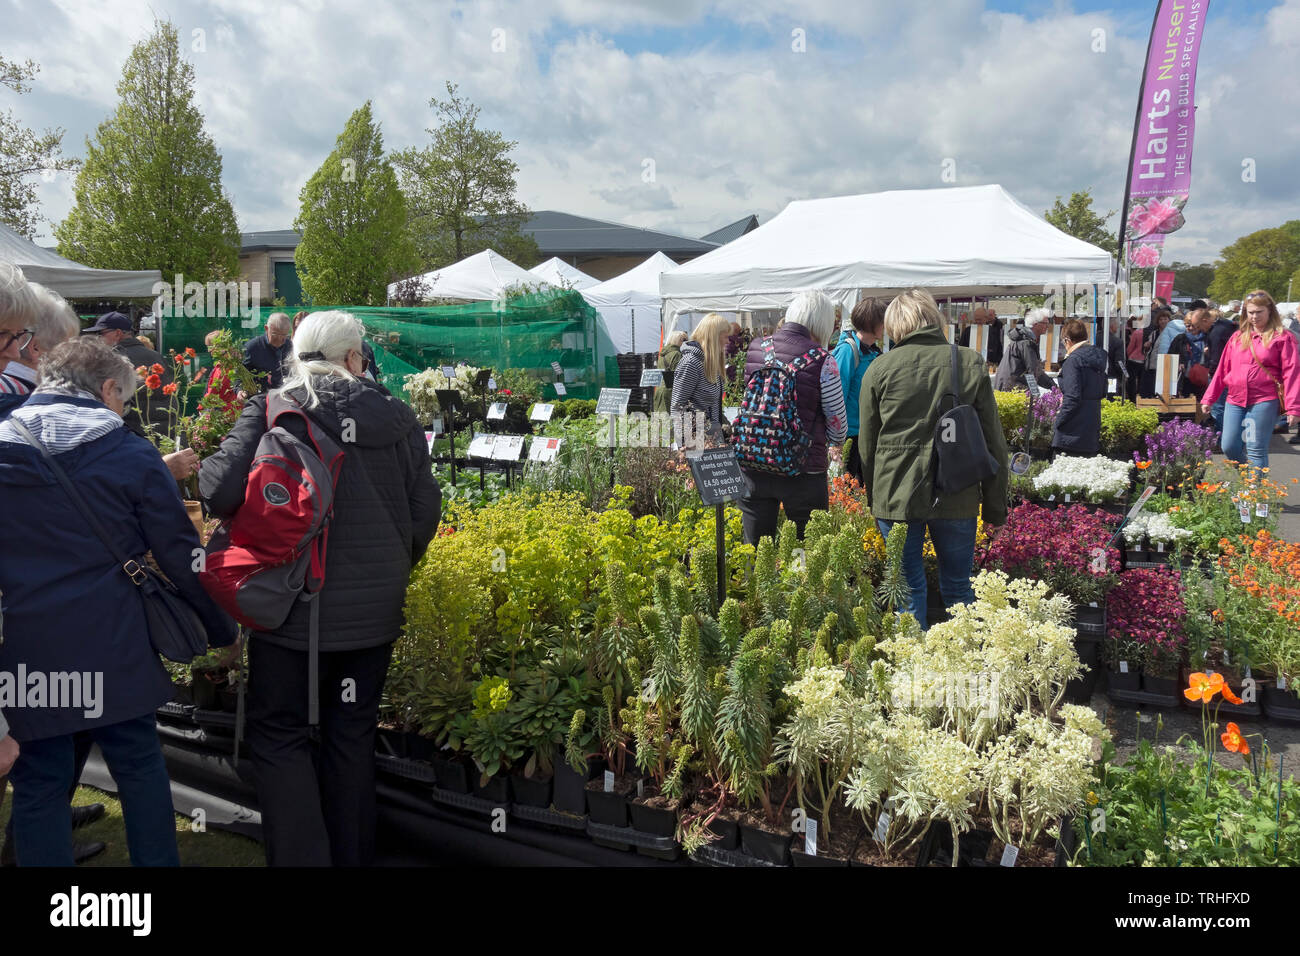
[{"x": 24, "y": 154}]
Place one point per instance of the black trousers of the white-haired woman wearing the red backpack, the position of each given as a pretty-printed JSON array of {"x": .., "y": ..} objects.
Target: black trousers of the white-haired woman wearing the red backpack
[{"x": 317, "y": 811}]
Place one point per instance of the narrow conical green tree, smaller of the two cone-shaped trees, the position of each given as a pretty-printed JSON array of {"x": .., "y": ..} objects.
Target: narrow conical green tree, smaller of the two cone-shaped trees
[{"x": 353, "y": 218}]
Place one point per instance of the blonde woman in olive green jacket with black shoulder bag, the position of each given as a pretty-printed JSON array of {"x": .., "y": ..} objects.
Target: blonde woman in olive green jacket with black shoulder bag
[{"x": 904, "y": 393}]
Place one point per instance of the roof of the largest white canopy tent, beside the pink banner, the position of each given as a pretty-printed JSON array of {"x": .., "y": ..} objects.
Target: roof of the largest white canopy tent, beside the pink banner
[{"x": 955, "y": 243}]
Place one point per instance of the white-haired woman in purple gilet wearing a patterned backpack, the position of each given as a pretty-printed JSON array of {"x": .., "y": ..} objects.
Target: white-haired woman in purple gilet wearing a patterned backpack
[{"x": 800, "y": 345}]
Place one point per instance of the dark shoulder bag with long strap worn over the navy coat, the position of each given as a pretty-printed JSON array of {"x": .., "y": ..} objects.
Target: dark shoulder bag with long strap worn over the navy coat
[{"x": 175, "y": 628}]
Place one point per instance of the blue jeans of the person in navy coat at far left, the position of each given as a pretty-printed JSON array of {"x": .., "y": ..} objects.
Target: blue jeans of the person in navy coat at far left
[{"x": 44, "y": 827}]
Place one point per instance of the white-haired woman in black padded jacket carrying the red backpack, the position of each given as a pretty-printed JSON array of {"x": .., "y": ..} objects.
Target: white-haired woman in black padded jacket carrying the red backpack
[{"x": 387, "y": 509}]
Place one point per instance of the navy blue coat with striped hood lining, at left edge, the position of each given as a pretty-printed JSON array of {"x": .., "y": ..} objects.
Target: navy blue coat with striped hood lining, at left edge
[{"x": 68, "y": 607}]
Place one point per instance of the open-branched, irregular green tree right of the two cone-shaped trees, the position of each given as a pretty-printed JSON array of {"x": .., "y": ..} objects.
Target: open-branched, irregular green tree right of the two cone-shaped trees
[{"x": 461, "y": 191}]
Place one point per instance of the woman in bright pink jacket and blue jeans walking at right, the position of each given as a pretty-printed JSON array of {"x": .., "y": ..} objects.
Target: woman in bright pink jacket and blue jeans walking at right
[{"x": 1260, "y": 370}]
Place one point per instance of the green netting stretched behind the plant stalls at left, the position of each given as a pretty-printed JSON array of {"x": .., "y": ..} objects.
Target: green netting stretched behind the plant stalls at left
[{"x": 527, "y": 334}]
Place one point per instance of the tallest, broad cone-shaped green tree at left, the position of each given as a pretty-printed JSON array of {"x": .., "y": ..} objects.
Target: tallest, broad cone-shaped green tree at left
[{"x": 150, "y": 194}]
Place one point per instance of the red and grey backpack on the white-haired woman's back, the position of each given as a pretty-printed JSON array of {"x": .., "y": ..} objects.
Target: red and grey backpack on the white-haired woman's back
[{"x": 272, "y": 553}]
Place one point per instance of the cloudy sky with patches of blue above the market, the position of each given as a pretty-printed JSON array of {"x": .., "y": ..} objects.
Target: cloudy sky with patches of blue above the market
[{"x": 736, "y": 107}]
